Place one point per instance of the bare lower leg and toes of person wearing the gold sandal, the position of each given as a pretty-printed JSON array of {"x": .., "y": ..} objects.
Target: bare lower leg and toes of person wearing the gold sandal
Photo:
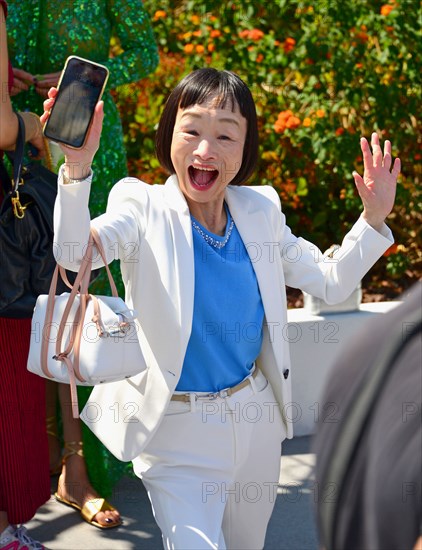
[{"x": 74, "y": 484}]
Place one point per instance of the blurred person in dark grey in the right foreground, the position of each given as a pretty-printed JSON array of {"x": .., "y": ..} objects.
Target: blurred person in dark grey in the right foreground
[{"x": 369, "y": 460}]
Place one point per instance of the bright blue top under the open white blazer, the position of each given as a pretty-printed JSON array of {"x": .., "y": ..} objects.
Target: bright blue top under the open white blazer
[{"x": 228, "y": 314}]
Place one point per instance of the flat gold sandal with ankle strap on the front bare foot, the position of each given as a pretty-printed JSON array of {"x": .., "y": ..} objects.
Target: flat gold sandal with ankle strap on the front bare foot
[{"x": 93, "y": 506}]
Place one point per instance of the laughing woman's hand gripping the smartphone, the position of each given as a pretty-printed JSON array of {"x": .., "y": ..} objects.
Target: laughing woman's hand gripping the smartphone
[{"x": 78, "y": 161}]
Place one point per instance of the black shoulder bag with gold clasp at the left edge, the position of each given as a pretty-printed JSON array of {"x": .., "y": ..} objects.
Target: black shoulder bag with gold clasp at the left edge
[{"x": 26, "y": 232}]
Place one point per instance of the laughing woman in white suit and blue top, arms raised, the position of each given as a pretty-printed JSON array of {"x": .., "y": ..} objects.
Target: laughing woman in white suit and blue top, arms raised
[{"x": 205, "y": 261}]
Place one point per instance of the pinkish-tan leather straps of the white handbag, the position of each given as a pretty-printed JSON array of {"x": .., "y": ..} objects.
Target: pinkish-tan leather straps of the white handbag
[{"x": 79, "y": 288}]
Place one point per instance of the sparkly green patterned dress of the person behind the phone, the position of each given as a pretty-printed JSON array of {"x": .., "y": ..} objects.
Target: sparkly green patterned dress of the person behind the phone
[{"x": 42, "y": 34}]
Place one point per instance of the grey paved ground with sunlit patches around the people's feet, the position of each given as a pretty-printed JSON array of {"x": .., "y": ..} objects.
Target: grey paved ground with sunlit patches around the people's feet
[{"x": 292, "y": 525}]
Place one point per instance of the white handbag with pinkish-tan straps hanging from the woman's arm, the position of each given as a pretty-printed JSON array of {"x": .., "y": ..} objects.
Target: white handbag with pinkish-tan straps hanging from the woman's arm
[{"x": 81, "y": 339}]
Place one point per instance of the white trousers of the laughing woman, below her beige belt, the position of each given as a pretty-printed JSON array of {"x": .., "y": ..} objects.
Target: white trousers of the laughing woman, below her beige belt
[{"x": 212, "y": 470}]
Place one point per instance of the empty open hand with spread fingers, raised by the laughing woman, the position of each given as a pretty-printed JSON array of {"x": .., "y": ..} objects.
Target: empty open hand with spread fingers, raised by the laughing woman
[{"x": 377, "y": 188}]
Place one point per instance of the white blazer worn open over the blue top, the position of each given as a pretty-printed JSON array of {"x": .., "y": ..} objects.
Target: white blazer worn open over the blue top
[{"x": 148, "y": 228}]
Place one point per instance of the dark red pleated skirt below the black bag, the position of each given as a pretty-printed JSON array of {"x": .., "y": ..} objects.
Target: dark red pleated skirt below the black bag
[{"x": 24, "y": 462}]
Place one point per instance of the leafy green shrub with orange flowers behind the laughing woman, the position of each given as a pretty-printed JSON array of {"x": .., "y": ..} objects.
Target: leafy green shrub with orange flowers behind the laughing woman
[{"x": 323, "y": 73}]
